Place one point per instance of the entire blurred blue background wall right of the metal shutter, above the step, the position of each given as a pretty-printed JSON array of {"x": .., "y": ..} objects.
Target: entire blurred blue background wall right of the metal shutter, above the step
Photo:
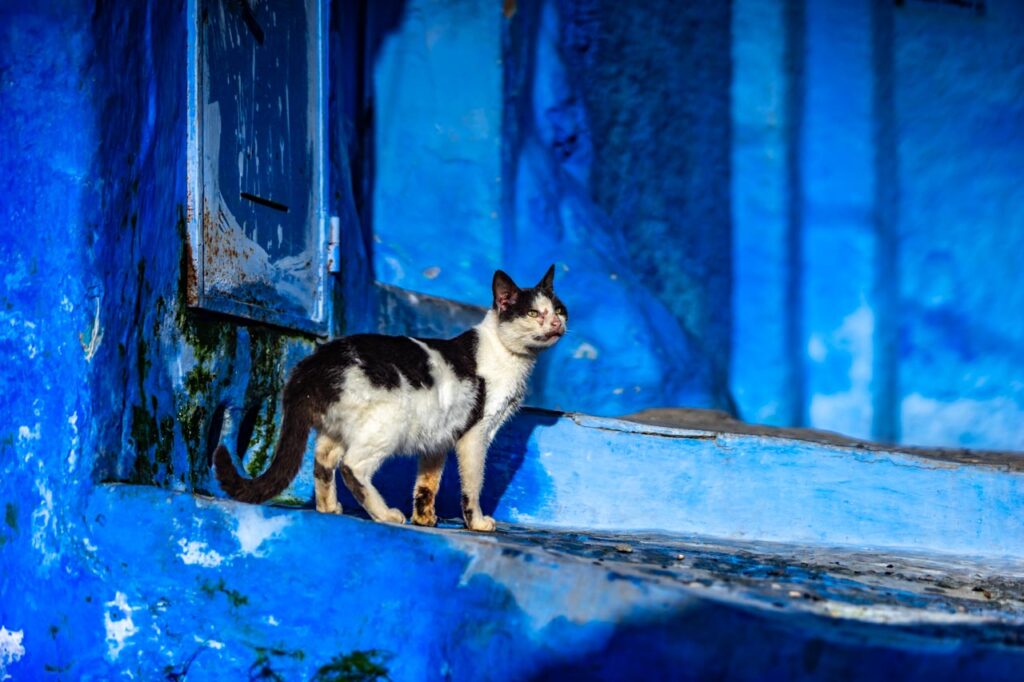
[{"x": 807, "y": 229}]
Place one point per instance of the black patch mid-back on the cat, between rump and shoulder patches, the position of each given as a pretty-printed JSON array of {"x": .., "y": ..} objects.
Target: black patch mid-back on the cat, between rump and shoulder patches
[{"x": 386, "y": 360}]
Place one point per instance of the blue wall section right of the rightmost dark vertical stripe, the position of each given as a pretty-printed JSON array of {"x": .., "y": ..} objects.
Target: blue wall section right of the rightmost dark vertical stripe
[{"x": 959, "y": 125}]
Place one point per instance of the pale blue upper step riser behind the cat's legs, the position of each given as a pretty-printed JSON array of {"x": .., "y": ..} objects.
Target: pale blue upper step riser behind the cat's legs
[{"x": 578, "y": 472}]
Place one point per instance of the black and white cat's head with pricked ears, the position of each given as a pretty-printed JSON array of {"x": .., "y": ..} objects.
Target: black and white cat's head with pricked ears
[{"x": 529, "y": 320}]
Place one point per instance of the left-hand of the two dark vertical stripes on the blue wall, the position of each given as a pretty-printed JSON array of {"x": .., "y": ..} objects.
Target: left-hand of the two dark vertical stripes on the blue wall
[{"x": 796, "y": 51}]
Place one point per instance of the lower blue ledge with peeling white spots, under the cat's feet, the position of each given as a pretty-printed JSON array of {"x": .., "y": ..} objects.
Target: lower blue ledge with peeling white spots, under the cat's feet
[{"x": 219, "y": 590}]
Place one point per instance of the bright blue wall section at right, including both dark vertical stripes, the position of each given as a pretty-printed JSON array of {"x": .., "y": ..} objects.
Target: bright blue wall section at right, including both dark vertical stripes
[{"x": 875, "y": 193}]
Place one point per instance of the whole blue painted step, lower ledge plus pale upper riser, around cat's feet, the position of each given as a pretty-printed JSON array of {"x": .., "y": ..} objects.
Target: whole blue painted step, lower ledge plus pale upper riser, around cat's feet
[{"x": 626, "y": 551}]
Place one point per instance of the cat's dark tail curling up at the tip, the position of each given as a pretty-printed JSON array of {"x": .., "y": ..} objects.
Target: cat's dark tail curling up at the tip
[{"x": 295, "y": 427}]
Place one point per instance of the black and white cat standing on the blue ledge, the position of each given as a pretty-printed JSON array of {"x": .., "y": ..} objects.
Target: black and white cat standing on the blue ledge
[{"x": 371, "y": 397}]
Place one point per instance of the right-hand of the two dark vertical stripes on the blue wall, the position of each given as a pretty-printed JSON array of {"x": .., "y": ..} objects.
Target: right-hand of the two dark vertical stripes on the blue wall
[{"x": 885, "y": 382}]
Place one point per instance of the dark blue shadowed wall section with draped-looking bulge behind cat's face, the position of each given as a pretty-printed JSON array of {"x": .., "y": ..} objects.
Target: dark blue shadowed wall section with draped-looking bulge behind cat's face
[{"x": 615, "y": 170}]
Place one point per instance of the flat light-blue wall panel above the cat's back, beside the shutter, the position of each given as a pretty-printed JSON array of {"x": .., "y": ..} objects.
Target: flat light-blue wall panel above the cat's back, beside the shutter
[{"x": 437, "y": 99}]
